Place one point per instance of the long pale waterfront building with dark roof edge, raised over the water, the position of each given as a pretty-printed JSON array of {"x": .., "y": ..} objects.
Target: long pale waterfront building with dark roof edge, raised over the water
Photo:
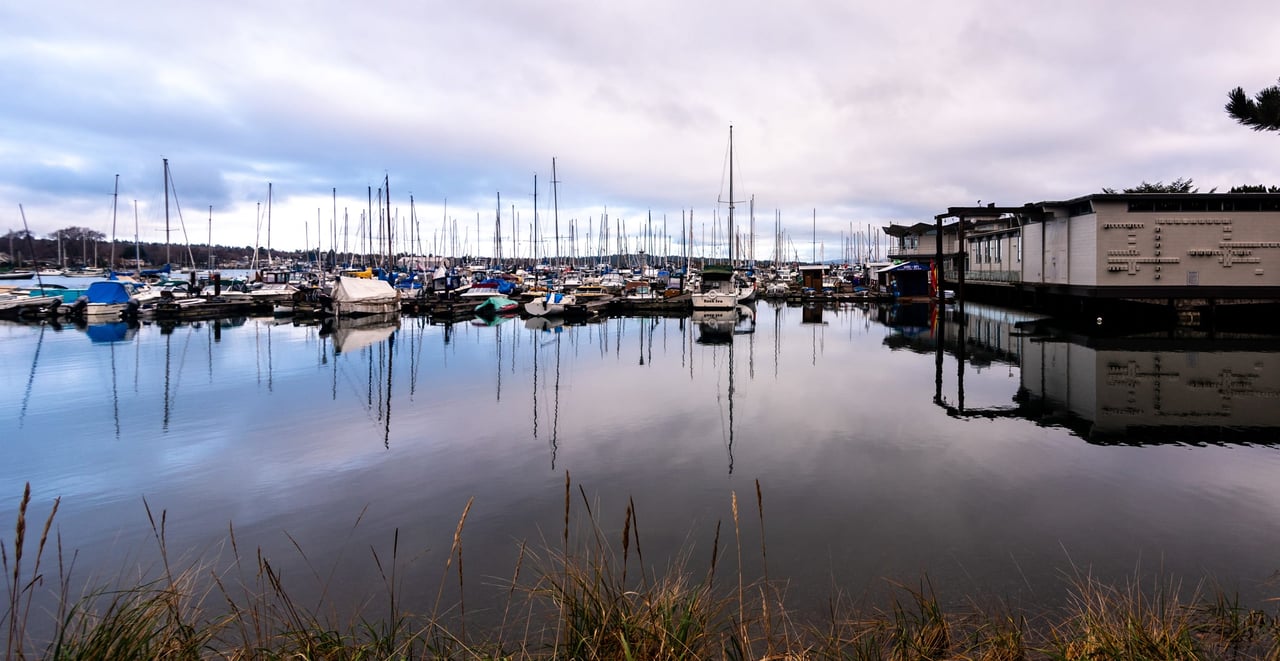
[{"x": 1110, "y": 253}]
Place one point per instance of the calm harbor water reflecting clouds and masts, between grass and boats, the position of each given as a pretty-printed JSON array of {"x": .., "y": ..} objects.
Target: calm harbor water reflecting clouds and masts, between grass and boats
[{"x": 996, "y": 468}]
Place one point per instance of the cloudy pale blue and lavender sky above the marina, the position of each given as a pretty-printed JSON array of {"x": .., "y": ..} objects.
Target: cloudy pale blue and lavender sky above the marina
[{"x": 848, "y": 116}]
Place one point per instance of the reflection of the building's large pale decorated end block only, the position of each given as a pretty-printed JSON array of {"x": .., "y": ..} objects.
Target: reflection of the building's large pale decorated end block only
[{"x": 1151, "y": 391}]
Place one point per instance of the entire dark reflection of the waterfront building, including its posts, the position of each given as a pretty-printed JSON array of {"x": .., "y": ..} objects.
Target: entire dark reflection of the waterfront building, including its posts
[{"x": 1169, "y": 388}]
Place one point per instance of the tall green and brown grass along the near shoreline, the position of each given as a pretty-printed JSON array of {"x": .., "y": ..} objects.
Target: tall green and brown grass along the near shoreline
[{"x": 588, "y": 598}]
